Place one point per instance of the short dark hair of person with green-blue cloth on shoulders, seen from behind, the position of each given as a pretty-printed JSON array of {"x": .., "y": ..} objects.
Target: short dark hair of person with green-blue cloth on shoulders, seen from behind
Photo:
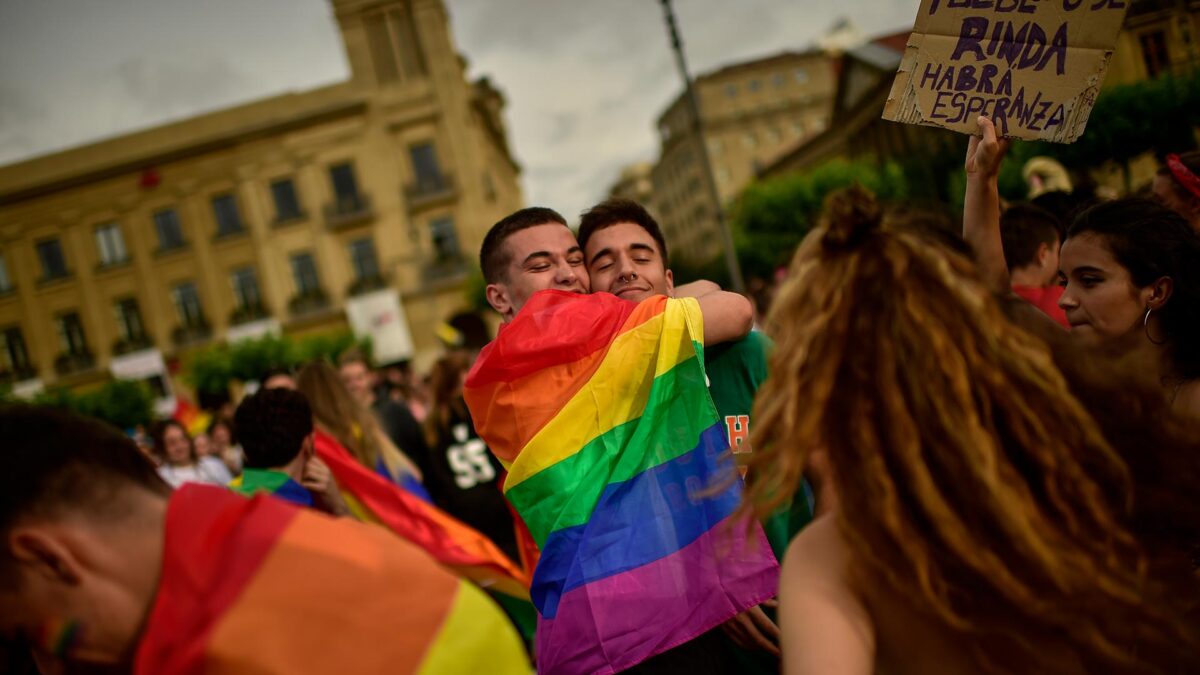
[{"x": 274, "y": 425}]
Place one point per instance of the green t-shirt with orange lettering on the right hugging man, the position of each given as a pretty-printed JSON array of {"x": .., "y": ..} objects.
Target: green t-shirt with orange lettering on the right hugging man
[{"x": 736, "y": 371}]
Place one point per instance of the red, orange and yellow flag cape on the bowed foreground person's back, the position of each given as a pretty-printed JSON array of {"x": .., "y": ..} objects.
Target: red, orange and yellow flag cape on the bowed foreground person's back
[{"x": 261, "y": 587}]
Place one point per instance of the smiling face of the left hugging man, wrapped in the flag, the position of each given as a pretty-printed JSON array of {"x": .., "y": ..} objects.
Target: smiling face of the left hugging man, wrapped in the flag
[{"x": 541, "y": 258}]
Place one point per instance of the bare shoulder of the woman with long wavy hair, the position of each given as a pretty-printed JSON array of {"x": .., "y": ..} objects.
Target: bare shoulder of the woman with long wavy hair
[{"x": 825, "y": 626}]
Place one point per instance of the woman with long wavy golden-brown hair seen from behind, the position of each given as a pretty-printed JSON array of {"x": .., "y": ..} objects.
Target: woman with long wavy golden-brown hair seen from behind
[{"x": 983, "y": 522}]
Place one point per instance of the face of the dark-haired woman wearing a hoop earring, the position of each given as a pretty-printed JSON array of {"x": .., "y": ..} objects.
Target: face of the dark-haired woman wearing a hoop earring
[{"x": 1101, "y": 300}]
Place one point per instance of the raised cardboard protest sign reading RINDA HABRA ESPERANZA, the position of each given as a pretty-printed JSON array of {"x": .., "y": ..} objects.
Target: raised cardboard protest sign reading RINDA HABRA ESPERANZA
[{"x": 1035, "y": 67}]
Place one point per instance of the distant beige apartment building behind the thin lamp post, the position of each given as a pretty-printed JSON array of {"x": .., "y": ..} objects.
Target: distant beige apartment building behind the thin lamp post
[{"x": 752, "y": 114}]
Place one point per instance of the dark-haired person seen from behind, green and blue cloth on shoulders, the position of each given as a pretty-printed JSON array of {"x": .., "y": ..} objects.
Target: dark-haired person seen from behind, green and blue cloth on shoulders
[{"x": 280, "y": 459}]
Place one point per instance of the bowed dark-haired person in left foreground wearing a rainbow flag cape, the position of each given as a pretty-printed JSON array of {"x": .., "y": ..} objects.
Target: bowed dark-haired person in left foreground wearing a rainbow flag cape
[{"x": 103, "y": 565}]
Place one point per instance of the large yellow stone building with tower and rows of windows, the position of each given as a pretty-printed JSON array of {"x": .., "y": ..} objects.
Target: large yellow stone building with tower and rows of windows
[{"x": 279, "y": 216}]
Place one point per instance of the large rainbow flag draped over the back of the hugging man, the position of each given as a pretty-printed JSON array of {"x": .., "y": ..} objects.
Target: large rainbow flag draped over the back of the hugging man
[{"x": 620, "y": 468}]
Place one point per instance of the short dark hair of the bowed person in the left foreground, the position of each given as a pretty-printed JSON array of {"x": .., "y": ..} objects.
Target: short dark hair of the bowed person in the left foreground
[{"x": 56, "y": 461}]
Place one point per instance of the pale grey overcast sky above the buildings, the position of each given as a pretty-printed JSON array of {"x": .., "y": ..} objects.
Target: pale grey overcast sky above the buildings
[{"x": 585, "y": 80}]
